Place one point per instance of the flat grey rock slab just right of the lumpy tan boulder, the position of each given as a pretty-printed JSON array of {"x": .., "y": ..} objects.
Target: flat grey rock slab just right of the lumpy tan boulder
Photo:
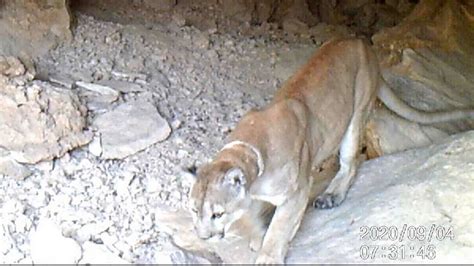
[{"x": 129, "y": 128}]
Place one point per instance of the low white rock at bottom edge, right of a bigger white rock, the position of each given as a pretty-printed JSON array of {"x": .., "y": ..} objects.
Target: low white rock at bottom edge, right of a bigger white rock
[{"x": 99, "y": 254}]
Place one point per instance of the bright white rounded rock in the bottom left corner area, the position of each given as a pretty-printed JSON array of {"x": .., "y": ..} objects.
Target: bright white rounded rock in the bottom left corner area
[{"x": 49, "y": 246}]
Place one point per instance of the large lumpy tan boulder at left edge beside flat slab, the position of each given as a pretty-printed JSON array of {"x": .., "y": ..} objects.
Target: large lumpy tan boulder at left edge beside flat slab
[{"x": 39, "y": 121}]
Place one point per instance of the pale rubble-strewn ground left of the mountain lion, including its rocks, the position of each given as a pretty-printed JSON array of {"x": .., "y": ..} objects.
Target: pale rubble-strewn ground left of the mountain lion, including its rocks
[{"x": 151, "y": 99}]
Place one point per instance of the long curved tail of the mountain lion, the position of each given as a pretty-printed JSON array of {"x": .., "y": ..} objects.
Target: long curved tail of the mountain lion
[{"x": 395, "y": 104}]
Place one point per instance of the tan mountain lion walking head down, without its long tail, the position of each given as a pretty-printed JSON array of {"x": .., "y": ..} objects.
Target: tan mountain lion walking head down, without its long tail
[{"x": 320, "y": 110}]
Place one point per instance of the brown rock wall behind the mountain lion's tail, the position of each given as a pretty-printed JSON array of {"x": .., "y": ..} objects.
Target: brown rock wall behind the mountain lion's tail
[{"x": 427, "y": 62}]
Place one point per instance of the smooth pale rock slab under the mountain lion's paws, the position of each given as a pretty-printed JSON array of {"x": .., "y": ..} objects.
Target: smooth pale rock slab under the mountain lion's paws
[{"x": 421, "y": 190}]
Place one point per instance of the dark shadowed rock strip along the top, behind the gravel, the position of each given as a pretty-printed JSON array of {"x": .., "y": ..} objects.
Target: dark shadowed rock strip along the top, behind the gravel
[{"x": 293, "y": 16}]
